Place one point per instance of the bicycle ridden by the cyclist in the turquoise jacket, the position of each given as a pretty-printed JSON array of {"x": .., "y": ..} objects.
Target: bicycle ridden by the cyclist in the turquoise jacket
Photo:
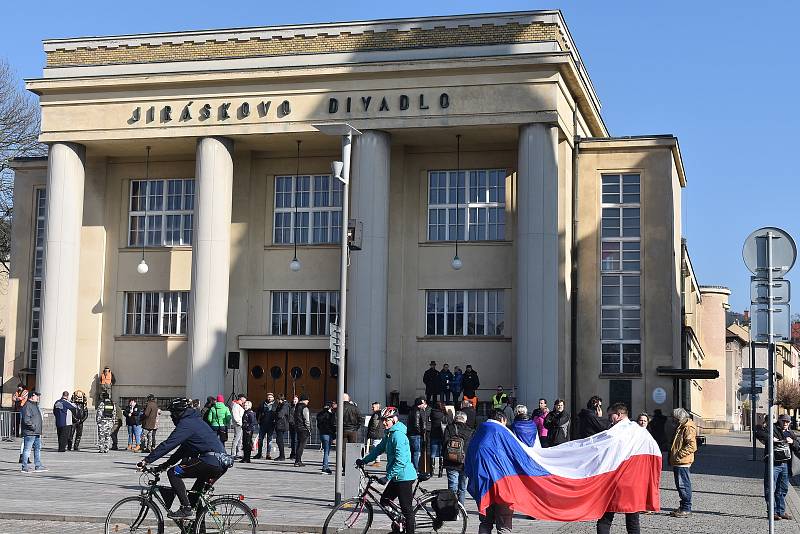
[{"x": 355, "y": 516}]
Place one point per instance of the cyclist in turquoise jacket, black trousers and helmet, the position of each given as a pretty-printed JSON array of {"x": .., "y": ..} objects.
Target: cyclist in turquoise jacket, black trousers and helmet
[{"x": 400, "y": 473}]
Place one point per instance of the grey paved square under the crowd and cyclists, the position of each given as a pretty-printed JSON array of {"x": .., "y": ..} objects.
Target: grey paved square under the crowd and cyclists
[{"x": 82, "y": 486}]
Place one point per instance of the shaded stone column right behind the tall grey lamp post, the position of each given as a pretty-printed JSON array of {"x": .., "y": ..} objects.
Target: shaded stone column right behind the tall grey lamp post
[{"x": 368, "y": 286}]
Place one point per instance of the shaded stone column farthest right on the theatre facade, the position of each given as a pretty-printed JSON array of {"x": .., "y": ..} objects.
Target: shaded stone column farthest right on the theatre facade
[{"x": 537, "y": 245}]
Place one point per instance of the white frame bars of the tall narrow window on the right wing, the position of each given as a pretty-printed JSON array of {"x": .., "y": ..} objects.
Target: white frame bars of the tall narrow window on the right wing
[{"x": 622, "y": 267}]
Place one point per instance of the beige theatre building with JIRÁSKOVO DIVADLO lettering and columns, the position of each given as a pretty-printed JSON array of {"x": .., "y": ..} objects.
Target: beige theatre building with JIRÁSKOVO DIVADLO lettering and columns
[{"x": 477, "y": 132}]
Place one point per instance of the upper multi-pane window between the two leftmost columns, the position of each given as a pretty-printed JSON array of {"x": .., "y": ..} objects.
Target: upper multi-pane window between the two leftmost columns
[{"x": 160, "y": 213}]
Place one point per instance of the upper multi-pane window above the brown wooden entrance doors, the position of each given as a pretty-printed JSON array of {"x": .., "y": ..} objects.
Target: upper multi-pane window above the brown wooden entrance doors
[{"x": 318, "y": 217}]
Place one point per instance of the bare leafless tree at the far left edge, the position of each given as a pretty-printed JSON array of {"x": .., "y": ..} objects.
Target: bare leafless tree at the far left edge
[{"x": 19, "y": 137}]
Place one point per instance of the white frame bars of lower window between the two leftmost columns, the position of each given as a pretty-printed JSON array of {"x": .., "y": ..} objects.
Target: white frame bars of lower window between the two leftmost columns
[{"x": 138, "y": 326}]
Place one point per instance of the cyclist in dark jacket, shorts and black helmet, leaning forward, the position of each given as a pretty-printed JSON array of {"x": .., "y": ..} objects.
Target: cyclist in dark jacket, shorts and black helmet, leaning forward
[{"x": 200, "y": 454}]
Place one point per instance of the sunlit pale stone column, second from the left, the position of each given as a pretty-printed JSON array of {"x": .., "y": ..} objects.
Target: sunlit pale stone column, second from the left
[{"x": 211, "y": 247}]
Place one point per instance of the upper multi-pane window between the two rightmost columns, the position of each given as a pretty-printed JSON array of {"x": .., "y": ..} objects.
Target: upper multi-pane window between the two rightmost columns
[{"x": 467, "y": 205}]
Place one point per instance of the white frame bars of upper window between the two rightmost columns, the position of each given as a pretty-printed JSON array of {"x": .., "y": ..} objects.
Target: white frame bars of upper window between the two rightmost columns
[{"x": 458, "y": 215}]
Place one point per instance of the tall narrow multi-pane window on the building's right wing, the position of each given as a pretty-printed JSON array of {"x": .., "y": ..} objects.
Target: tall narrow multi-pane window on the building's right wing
[{"x": 620, "y": 267}]
